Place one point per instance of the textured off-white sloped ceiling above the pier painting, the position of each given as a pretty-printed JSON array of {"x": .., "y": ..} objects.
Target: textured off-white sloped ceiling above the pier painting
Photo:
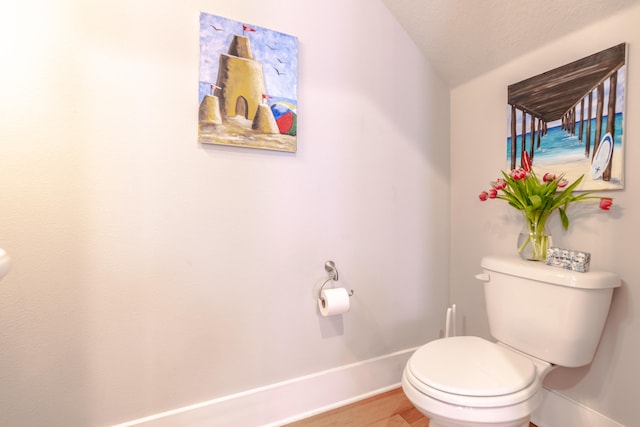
[{"x": 465, "y": 38}]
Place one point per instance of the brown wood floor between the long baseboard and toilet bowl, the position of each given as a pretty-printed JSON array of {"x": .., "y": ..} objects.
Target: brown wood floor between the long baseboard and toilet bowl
[{"x": 390, "y": 409}]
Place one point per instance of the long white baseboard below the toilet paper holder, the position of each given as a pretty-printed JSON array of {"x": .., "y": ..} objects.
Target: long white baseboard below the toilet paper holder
[{"x": 291, "y": 400}]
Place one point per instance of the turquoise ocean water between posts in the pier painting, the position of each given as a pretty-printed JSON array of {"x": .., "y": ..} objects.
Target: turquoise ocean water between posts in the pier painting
[{"x": 557, "y": 146}]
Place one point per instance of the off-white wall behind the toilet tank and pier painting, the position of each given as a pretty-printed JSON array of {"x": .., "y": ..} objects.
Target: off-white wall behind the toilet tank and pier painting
[{"x": 478, "y": 116}]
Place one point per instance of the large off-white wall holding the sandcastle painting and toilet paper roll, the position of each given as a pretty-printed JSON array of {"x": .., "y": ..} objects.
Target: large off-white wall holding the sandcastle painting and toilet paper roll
[{"x": 151, "y": 272}]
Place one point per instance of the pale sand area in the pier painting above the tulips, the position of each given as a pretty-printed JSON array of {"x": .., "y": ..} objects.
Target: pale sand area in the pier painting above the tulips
[{"x": 574, "y": 169}]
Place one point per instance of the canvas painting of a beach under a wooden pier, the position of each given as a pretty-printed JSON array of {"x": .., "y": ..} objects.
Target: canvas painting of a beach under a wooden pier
[{"x": 570, "y": 120}]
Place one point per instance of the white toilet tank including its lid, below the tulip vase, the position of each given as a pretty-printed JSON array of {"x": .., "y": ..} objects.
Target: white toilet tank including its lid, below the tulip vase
[{"x": 550, "y": 313}]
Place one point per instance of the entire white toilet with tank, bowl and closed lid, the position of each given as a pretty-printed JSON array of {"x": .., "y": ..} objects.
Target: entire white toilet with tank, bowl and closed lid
[{"x": 542, "y": 317}]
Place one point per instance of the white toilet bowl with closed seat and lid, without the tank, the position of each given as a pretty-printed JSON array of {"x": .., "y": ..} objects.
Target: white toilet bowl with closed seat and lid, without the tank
[{"x": 468, "y": 381}]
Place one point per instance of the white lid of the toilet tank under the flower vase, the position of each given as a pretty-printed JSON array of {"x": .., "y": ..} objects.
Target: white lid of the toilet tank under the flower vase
[{"x": 516, "y": 266}]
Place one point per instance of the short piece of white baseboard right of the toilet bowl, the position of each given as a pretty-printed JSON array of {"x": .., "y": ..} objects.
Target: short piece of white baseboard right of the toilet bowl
[{"x": 557, "y": 410}]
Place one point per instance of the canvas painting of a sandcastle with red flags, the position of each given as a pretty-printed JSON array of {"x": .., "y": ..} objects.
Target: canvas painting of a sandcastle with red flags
[{"x": 247, "y": 91}]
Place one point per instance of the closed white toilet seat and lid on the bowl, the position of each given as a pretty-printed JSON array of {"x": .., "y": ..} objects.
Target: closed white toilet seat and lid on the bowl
[{"x": 473, "y": 372}]
